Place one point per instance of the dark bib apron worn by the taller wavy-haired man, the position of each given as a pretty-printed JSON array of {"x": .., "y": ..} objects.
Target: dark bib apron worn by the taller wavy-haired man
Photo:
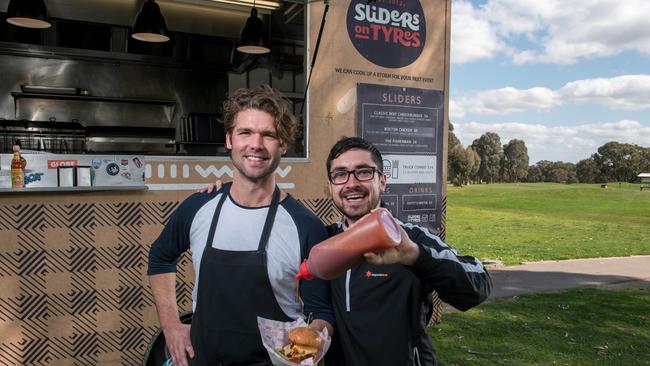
[{"x": 234, "y": 289}]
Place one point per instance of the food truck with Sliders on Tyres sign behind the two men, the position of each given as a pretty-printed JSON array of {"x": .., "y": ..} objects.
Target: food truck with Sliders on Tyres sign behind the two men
[{"x": 116, "y": 132}]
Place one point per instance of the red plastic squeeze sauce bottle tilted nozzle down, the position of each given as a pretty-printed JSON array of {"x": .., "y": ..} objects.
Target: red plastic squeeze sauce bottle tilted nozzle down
[{"x": 330, "y": 258}]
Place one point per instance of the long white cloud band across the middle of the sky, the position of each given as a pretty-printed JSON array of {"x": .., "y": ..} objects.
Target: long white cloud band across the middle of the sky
[{"x": 626, "y": 92}]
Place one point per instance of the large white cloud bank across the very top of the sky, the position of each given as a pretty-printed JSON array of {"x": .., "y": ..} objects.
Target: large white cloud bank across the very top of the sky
[{"x": 557, "y": 31}]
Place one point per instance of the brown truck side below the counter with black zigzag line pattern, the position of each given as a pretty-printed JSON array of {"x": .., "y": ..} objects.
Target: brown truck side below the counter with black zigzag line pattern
[{"x": 71, "y": 278}]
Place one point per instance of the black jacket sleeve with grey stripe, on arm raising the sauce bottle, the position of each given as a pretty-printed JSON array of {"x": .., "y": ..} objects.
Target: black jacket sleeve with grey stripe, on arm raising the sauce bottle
[{"x": 461, "y": 281}]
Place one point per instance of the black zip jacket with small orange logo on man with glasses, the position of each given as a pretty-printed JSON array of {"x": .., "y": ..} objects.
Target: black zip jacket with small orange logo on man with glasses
[{"x": 382, "y": 310}]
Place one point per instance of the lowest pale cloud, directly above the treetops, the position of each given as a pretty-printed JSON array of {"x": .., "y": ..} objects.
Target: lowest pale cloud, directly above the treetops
[{"x": 565, "y": 143}]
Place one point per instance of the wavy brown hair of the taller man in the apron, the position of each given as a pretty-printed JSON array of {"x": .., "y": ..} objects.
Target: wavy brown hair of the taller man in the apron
[{"x": 266, "y": 99}]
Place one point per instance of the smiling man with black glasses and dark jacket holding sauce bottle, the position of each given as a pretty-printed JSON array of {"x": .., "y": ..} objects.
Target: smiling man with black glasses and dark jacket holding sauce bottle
[{"x": 382, "y": 305}]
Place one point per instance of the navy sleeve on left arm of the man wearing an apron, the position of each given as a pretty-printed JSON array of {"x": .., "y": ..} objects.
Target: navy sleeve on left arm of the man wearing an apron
[{"x": 175, "y": 236}]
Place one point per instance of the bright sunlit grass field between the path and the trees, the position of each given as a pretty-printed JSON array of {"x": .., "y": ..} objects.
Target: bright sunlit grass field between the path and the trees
[{"x": 547, "y": 221}]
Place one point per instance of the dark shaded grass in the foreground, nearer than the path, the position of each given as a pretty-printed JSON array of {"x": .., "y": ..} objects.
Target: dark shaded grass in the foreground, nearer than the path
[{"x": 580, "y": 327}]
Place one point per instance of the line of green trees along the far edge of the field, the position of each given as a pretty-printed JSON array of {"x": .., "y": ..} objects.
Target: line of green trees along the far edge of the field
[{"x": 487, "y": 161}]
